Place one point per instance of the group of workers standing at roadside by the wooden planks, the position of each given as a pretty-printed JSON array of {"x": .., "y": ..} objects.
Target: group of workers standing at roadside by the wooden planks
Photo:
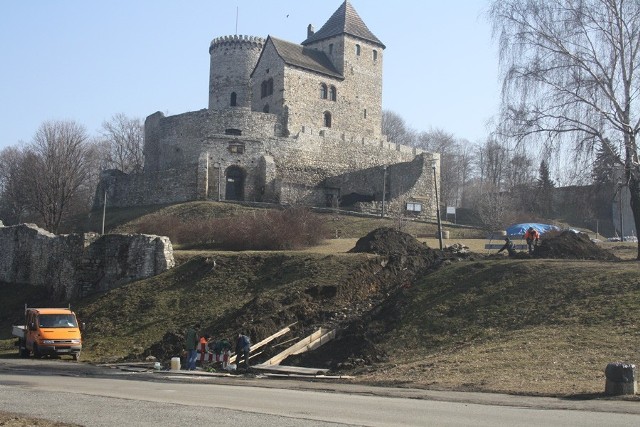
[{"x": 221, "y": 348}]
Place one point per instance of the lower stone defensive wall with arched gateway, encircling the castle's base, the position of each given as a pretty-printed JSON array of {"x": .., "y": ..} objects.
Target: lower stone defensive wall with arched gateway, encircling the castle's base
[{"x": 188, "y": 157}]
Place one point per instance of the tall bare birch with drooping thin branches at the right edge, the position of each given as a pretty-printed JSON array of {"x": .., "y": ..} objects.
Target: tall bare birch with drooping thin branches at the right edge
[{"x": 571, "y": 76}]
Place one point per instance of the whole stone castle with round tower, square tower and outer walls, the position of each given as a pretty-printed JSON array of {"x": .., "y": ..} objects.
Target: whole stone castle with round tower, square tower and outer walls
[{"x": 286, "y": 123}]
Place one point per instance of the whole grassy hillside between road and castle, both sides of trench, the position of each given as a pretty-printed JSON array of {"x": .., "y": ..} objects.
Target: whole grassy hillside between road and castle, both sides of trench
[{"x": 480, "y": 323}]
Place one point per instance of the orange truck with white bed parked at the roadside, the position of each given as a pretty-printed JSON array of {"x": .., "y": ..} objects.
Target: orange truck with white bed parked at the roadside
[{"x": 49, "y": 331}]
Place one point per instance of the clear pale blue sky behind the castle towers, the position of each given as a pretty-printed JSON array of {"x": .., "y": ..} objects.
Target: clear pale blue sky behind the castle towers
[{"x": 88, "y": 60}]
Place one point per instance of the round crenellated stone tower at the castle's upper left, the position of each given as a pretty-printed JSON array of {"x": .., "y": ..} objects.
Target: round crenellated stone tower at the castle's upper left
[{"x": 233, "y": 58}]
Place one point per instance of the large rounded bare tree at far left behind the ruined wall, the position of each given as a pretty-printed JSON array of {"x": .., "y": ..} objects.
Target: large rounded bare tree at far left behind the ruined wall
[{"x": 54, "y": 169}]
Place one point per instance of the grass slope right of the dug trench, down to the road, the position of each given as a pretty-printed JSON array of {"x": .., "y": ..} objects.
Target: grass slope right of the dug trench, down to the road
[{"x": 527, "y": 326}]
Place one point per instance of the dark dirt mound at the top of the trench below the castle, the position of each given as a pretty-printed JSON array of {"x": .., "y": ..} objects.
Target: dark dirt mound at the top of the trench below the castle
[{"x": 389, "y": 241}]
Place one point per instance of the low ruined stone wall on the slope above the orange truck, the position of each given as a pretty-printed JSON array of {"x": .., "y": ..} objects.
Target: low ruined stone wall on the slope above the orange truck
[{"x": 75, "y": 265}]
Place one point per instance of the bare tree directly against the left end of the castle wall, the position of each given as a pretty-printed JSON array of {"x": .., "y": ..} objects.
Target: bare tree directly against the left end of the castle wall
[{"x": 124, "y": 137}]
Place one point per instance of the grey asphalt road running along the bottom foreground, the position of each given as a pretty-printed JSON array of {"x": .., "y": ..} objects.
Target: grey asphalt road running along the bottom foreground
[{"x": 92, "y": 396}]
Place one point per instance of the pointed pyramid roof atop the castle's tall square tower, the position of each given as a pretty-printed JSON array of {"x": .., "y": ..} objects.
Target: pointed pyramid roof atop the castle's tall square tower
[{"x": 345, "y": 20}]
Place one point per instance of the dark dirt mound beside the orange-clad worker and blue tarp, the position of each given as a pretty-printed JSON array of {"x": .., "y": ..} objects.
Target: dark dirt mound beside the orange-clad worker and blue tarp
[{"x": 570, "y": 245}]
